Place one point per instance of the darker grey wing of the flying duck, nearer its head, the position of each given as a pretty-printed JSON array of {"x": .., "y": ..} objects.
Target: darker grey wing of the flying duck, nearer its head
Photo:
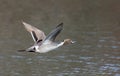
[{"x": 52, "y": 35}]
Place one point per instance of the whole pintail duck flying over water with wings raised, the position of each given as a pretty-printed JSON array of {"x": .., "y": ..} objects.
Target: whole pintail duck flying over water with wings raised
[{"x": 43, "y": 43}]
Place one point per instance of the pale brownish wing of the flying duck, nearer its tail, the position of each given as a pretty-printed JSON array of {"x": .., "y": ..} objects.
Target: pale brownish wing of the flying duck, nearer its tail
[{"x": 35, "y": 33}]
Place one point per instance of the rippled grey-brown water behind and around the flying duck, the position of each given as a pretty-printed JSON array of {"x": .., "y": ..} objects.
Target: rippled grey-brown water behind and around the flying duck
[{"x": 94, "y": 24}]
